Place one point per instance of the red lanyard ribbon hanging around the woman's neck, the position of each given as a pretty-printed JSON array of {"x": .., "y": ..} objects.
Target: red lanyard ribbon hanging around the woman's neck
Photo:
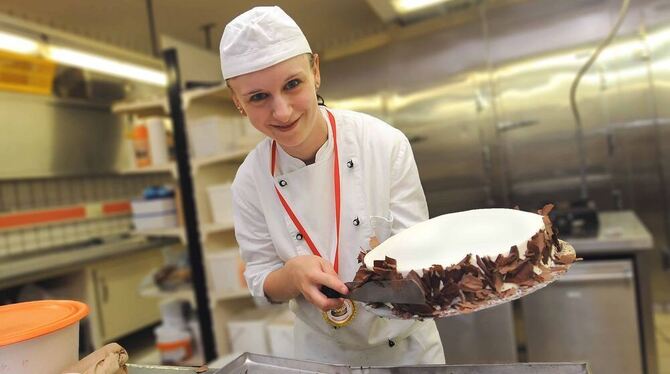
[{"x": 336, "y": 182}]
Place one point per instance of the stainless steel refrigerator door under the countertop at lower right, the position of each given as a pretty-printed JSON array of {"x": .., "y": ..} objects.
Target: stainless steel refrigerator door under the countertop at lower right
[{"x": 588, "y": 315}]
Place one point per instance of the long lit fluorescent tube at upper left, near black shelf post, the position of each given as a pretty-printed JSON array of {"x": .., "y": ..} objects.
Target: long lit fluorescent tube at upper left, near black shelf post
[{"x": 107, "y": 65}]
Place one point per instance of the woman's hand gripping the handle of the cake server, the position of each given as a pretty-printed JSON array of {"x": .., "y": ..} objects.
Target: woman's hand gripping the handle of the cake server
[{"x": 308, "y": 273}]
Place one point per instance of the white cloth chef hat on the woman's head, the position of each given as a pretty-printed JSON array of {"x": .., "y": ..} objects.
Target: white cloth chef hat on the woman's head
[{"x": 259, "y": 38}]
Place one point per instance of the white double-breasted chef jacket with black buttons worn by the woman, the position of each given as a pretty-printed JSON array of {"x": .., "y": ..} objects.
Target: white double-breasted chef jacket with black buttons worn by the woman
[{"x": 380, "y": 196}]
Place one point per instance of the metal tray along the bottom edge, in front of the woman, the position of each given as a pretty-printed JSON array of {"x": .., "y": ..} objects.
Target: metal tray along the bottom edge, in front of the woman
[{"x": 249, "y": 363}]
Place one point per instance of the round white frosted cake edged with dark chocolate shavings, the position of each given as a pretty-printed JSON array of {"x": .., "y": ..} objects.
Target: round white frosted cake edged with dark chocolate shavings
[{"x": 469, "y": 260}]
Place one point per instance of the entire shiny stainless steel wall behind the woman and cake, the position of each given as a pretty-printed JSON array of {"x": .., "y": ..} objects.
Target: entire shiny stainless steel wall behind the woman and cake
[{"x": 487, "y": 109}]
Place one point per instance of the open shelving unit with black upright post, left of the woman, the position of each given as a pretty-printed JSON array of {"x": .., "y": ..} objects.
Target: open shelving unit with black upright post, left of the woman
[{"x": 201, "y": 234}]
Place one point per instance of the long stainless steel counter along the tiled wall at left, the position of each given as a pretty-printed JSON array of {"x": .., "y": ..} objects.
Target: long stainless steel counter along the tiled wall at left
[{"x": 26, "y": 268}]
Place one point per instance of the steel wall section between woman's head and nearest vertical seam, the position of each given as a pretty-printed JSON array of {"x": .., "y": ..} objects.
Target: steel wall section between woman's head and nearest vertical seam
[{"x": 441, "y": 110}]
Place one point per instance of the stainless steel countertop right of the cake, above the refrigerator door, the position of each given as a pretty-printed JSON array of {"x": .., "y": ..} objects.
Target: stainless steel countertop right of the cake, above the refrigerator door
[{"x": 619, "y": 232}]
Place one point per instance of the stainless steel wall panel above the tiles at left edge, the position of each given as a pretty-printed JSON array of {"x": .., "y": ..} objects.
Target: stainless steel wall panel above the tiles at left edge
[{"x": 44, "y": 137}]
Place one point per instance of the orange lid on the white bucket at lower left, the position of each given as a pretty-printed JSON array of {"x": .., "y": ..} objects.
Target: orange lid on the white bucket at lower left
[{"x": 23, "y": 321}]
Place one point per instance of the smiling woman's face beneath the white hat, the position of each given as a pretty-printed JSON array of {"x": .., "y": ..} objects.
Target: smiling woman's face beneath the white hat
[{"x": 280, "y": 101}]
